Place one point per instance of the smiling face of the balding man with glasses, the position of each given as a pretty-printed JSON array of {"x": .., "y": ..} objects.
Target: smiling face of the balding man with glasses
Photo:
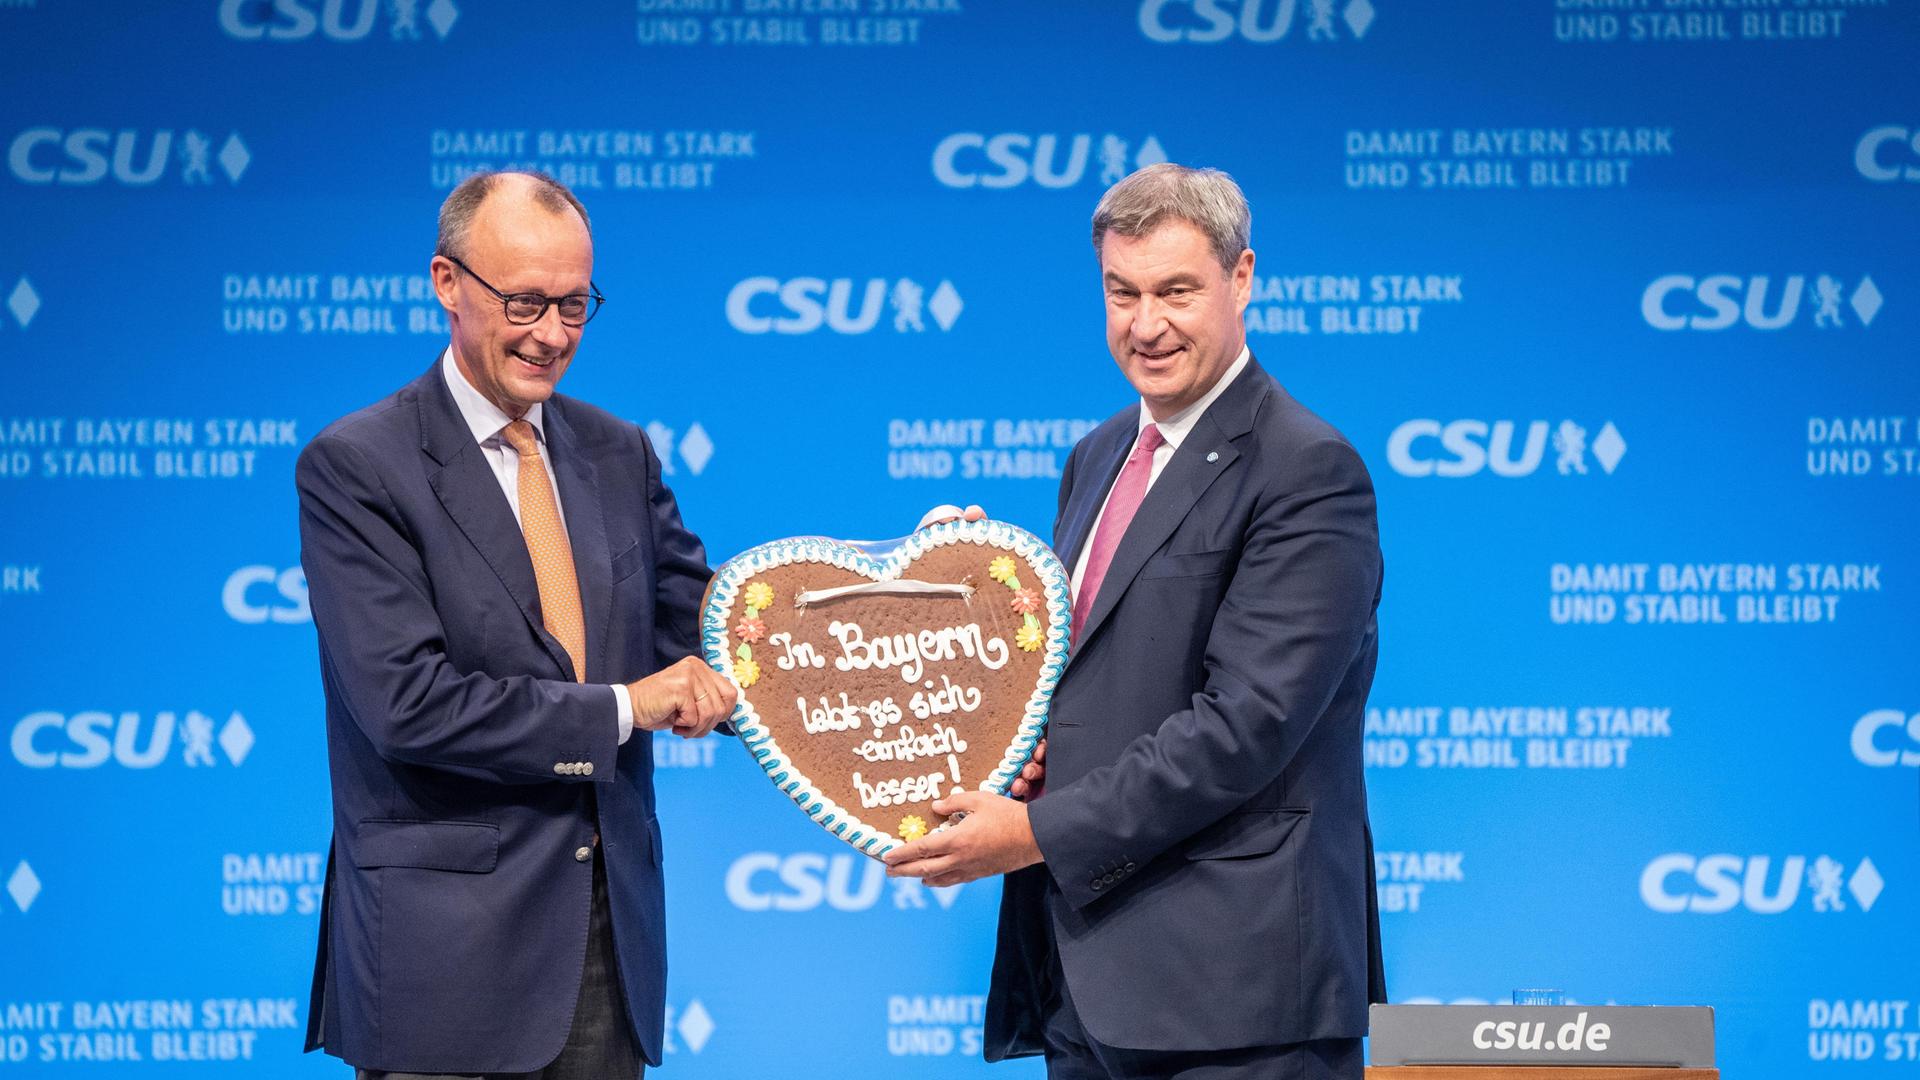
[{"x": 517, "y": 247}]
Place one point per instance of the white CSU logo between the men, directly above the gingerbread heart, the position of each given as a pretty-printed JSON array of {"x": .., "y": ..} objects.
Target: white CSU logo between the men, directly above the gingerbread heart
[{"x": 804, "y": 305}]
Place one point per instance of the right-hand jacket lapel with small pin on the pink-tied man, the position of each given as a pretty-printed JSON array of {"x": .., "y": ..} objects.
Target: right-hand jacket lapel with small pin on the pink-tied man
[{"x": 1203, "y": 458}]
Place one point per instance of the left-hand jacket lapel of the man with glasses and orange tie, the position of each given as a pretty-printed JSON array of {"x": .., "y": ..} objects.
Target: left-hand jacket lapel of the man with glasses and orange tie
[{"x": 469, "y": 491}]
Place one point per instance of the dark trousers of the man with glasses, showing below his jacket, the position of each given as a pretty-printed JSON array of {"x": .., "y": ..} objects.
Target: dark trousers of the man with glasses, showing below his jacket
[{"x": 600, "y": 1043}]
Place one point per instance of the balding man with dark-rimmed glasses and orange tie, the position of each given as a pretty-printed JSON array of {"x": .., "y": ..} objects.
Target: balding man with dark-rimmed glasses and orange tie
[{"x": 504, "y": 593}]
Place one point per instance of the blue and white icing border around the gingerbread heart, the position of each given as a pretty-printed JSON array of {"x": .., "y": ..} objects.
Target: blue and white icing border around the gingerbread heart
[{"x": 761, "y": 743}]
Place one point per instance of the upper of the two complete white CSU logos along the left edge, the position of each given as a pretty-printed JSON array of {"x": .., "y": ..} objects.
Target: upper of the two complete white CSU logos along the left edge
[{"x": 130, "y": 157}]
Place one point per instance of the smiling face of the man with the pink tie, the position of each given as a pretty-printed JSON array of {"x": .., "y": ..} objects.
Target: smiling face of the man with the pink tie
[{"x": 1174, "y": 312}]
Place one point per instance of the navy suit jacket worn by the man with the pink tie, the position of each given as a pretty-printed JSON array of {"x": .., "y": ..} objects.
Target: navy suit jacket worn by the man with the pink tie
[{"x": 1205, "y": 822}]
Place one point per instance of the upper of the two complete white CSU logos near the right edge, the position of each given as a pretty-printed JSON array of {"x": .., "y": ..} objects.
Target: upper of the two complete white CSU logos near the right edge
[{"x": 1716, "y": 303}]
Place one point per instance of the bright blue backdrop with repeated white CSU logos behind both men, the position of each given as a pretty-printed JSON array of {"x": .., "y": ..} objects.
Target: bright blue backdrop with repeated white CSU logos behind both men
[{"x": 1616, "y": 299}]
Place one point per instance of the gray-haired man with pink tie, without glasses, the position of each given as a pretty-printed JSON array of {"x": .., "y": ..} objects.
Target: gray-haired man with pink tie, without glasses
[{"x": 1193, "y": 893}]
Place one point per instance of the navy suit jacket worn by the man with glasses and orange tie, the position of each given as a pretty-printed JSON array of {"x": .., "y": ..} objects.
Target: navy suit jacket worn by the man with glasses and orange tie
[{"x": 469, "y": 770}]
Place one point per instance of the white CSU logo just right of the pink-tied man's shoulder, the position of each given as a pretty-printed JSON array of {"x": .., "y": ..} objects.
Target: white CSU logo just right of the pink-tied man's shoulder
[{"x": 1466, "y": 449}]
